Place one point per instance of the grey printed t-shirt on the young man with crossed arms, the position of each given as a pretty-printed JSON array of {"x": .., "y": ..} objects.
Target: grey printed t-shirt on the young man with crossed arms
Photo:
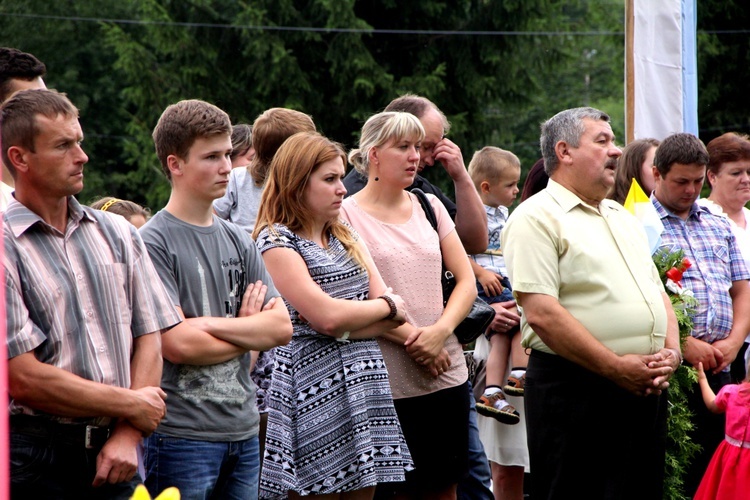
[{"x": 205, "y": 271}]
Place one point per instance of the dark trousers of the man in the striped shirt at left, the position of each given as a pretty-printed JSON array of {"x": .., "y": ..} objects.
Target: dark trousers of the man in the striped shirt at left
[{"x": 50, "y": 467}]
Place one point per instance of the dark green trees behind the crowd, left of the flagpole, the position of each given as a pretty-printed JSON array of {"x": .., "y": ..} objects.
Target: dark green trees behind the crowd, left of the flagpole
[{"x": 123, "y": 62}]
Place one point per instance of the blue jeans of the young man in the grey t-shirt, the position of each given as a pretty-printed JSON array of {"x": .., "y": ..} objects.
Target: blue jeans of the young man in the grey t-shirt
[{"x": 202, "y": 469}]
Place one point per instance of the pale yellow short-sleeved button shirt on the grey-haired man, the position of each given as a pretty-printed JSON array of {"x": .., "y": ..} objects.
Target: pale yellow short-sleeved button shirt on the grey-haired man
[{"x": 596, "y": 262}]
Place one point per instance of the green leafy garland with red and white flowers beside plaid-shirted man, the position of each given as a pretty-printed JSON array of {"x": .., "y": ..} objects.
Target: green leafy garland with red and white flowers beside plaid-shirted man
[{"x": 680, "y": 448}]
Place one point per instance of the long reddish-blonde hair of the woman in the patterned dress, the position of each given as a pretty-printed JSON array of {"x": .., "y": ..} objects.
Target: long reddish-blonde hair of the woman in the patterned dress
[{"x": 282, "y": 201}]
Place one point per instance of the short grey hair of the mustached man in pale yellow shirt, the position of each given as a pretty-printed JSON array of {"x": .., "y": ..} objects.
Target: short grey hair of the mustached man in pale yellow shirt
[{"x": 566, "y": 126}]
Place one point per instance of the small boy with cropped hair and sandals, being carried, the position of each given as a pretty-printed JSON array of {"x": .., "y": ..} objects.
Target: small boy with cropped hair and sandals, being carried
[{"x": 496, "y": 173}]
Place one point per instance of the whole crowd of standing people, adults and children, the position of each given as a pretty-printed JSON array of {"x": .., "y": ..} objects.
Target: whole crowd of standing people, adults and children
[{"x": 279, "y": 328}]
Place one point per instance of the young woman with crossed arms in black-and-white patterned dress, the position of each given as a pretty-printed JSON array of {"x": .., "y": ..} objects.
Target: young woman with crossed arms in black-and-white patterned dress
[{"x": 332, "y": 427}]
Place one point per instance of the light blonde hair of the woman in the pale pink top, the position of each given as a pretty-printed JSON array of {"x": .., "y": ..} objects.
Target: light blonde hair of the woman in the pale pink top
[{"x": 380, "y": 129}]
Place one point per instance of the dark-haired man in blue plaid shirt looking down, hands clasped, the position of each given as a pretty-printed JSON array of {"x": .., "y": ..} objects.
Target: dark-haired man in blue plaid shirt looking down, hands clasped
[{"x": 718, "y": 279}]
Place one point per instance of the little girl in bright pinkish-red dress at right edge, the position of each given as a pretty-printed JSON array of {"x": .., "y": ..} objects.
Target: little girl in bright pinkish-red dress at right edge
[{"x": 728, "y": 475}]
